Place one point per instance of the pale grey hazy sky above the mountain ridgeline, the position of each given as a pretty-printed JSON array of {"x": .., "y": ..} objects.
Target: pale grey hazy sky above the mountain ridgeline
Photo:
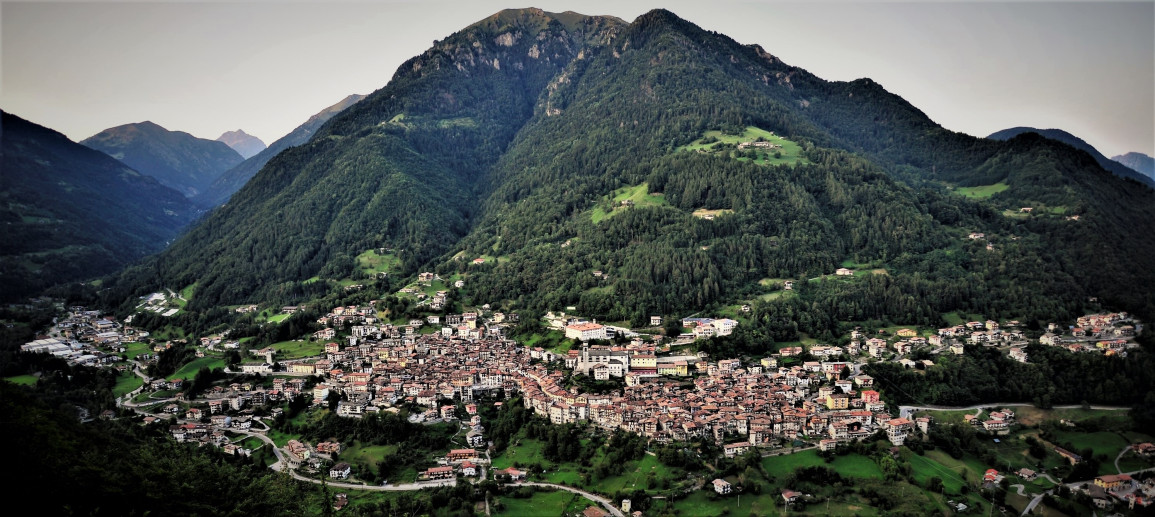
[{"x": 267, "y": 66}]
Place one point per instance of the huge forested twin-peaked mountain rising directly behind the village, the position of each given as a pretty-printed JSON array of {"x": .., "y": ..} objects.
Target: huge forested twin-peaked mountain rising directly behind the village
[{"x": 694, "y": 173}]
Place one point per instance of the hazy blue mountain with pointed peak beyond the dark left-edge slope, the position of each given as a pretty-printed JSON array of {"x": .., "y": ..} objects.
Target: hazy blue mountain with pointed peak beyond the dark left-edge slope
[{"x": 177, "y": 160}]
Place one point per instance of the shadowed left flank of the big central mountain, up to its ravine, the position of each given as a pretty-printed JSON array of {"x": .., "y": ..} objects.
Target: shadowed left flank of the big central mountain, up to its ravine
[{"x": 398, "y": 169}]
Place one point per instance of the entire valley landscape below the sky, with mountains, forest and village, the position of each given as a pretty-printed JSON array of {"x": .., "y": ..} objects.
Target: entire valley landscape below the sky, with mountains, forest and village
[{"x": 565, "y": 265}]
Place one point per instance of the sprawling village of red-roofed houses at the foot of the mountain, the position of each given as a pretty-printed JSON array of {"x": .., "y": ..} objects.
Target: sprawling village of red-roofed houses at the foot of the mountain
[{"x": 442, "y": 362}]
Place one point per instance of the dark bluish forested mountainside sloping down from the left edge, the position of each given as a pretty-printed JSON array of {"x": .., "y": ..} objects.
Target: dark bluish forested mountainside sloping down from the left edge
[{"x": 71, "y": 213}]
